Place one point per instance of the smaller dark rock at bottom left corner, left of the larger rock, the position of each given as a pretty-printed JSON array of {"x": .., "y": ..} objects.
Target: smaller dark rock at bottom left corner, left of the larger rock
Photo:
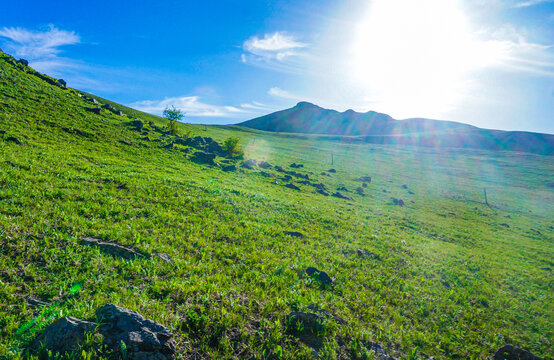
[{"x": 63, "y": 336}]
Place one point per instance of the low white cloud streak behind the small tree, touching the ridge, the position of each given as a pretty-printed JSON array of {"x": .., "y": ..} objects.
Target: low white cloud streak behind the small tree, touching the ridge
[{"x": 194, "y": 107}]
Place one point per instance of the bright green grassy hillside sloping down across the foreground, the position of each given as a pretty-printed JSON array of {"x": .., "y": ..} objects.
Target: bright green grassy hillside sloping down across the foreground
[{"x": 445, "y": 275}]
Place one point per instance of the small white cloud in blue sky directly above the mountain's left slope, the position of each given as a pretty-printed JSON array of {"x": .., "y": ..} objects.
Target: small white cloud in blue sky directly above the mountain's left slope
[{"x": 276, "y": 51}]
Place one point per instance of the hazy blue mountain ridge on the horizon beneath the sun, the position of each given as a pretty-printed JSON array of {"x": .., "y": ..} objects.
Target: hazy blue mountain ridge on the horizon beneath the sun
[{"x": 374, "y": 127}]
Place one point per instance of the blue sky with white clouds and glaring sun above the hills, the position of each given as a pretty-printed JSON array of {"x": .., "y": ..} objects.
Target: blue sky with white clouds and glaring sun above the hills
[{"x": 489, "y": 63}]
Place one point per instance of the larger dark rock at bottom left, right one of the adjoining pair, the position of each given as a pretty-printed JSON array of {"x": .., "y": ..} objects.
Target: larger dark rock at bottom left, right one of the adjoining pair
[{"x": 144, "y": 338}]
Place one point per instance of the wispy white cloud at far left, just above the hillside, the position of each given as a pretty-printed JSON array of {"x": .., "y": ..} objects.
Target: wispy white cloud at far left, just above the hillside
[{"x": 37, "y": 45}]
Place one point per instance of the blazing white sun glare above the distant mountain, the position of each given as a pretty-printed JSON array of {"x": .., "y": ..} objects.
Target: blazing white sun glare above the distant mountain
[{"x": 413, "y": 57}]
